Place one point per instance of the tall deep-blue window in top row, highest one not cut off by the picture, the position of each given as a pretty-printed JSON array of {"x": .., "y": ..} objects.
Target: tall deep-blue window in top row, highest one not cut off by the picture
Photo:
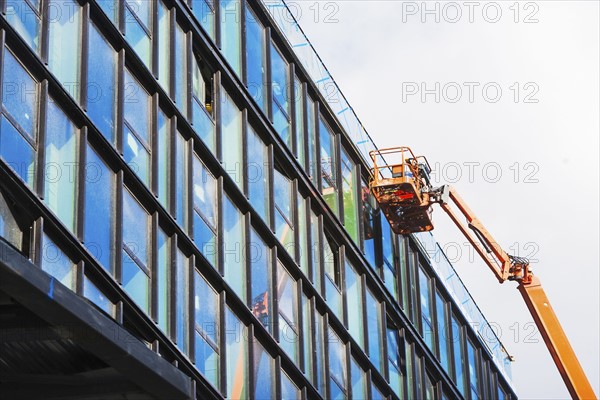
[{"x": 255, "y": 59}]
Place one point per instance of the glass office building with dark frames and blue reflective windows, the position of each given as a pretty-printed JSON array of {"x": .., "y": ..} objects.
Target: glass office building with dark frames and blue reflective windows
[{"x": 185, "y": 213}]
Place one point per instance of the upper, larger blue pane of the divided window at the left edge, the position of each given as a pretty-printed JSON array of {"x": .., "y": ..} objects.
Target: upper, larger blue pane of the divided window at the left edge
[{"x": 19, "y": 94}]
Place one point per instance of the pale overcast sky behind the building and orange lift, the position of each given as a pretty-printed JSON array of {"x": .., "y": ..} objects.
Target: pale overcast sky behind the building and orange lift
[{"x": 515, "y": 129}]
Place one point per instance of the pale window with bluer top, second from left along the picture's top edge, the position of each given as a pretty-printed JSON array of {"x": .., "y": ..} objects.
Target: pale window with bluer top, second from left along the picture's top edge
[{"x": 65, "y": 39}]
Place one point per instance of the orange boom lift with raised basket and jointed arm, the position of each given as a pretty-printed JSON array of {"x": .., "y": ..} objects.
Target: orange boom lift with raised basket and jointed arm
[{"x": 404, "y": 192}]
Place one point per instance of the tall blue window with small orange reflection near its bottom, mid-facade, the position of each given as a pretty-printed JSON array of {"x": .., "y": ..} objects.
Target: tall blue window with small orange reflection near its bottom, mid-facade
[{"x": 260, "y": 267}]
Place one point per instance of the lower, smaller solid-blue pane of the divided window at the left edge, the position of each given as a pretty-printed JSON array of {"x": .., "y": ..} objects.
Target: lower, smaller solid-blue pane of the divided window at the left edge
[{"x": 17, "y": 152}]
